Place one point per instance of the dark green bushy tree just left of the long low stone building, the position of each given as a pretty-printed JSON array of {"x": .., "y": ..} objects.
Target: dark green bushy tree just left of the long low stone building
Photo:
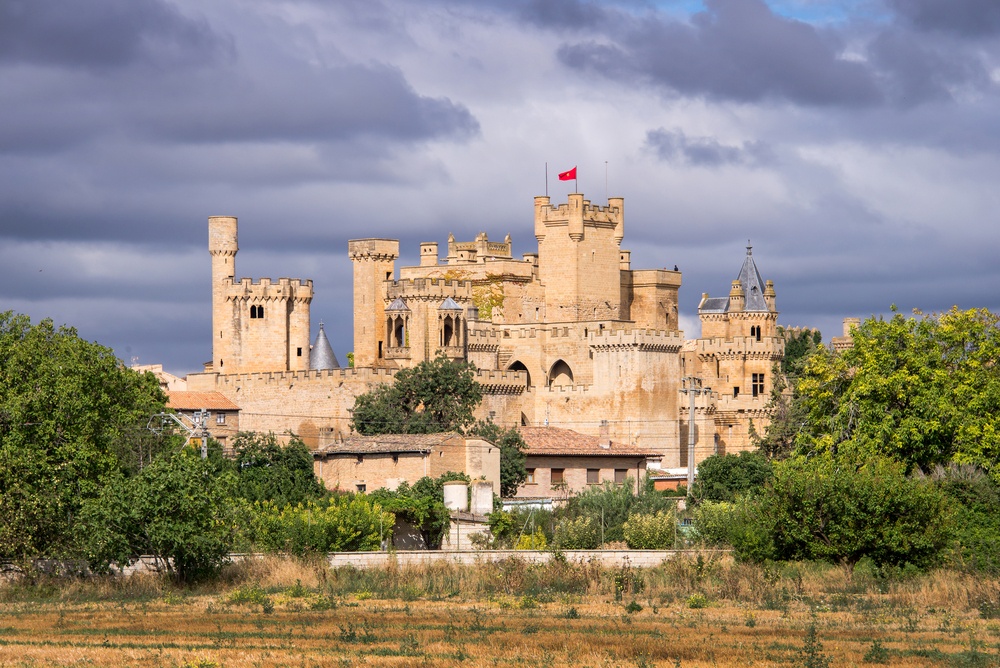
[{"x": 267, "y": 471}]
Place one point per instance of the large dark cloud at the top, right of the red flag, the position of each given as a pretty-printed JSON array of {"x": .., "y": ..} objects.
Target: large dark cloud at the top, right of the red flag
[{"x": 738, "y": 50}]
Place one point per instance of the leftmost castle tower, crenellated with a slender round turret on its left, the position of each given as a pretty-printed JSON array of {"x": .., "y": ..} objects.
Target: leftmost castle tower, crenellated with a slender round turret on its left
[{"x": 256, "y": 327}]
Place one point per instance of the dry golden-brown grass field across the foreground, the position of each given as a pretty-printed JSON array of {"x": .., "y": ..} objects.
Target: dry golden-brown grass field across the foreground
[{"x": 690, "y": 612}]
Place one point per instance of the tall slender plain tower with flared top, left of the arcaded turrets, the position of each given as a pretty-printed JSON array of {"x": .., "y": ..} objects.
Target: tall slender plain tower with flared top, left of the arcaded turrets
[{"x": 374, "y": 266}]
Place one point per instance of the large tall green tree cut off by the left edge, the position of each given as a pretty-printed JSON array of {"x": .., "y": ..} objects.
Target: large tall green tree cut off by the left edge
[{"x": 66, "y": 406}]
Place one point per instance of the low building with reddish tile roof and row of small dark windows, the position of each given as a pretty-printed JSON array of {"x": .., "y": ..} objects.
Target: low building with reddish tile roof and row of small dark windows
[{"x": 561, "y": 462}]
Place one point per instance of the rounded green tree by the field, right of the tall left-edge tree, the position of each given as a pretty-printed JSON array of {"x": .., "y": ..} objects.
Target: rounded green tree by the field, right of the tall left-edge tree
[{"x": 177, "y": 509}]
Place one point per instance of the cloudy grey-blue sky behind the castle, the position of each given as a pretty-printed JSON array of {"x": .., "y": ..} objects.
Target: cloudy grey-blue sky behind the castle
[{"x": 854, "y": 143}]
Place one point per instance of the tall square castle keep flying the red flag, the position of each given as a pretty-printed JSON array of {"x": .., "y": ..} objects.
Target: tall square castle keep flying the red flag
[{"x": 579, "y": 258}]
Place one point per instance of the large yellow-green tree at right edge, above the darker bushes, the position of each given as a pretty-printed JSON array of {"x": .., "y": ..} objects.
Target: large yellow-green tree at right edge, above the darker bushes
[{"x": 924, "y": 390}]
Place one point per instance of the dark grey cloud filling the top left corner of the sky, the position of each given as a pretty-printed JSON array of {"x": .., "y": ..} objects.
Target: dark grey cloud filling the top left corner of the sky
[{"x": 102, "y": 34}]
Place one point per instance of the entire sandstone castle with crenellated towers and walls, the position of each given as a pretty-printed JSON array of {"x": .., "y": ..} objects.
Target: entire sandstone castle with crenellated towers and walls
[{"x": 569, "y": 336}]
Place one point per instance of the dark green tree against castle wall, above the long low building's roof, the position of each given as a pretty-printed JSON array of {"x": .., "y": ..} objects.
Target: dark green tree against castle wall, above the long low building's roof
[{"x": 435, "y": 396}]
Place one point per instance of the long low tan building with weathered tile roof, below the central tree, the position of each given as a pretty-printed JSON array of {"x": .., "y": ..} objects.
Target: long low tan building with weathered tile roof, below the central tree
[{"x": 367, "y": 463}]
